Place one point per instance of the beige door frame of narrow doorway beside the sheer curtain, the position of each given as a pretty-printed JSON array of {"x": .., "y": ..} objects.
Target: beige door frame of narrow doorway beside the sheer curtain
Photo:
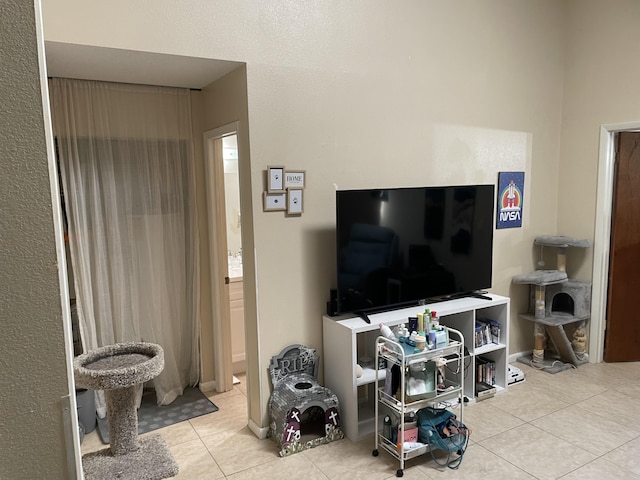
[{"x": 221, "y": 315}]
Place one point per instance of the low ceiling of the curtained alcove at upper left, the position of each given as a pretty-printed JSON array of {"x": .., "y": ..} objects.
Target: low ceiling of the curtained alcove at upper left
[{"x": 128, "y": 66}]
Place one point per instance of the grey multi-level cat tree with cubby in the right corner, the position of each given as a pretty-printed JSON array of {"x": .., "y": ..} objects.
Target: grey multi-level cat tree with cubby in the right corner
[{"x": 555, "y": 302}]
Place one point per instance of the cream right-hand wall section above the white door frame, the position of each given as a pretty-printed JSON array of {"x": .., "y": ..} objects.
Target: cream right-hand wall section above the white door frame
[{"x": 603, "y": 42}]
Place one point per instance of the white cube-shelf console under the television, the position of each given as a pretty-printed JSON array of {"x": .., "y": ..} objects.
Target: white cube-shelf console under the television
[{"x": 350, "y": 340}]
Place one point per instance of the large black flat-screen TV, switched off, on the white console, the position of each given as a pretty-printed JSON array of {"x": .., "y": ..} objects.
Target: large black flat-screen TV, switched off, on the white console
[{"x": 398, "y": 246}]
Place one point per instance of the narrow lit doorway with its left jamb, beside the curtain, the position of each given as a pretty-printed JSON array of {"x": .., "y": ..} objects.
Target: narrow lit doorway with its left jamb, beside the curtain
[{"x": 225, "y": 244}]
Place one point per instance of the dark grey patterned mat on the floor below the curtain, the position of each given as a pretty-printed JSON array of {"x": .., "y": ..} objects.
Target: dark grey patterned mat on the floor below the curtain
[{"x": 192, "y": 403}]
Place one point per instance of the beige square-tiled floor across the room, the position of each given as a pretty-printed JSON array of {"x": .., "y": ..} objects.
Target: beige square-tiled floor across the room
[{"x": 579, "y": 424}]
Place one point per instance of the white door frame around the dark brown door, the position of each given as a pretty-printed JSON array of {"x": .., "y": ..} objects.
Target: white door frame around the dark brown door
[{"x": 602, "y": 237}]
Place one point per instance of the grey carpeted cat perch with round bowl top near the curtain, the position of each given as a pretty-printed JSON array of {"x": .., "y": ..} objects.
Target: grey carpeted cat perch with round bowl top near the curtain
[{"x": 118, "y": 369}]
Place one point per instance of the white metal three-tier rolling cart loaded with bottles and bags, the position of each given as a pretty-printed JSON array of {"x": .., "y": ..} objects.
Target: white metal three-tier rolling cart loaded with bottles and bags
[{"x": 421, "y": 380}]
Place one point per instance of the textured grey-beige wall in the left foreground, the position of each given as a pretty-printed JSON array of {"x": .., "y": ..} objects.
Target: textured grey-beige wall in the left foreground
[{"x": 33, "y": 375}]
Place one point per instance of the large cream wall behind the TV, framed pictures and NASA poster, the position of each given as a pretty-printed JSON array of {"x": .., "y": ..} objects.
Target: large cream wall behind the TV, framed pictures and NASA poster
[{"x": 364, "y": 94}]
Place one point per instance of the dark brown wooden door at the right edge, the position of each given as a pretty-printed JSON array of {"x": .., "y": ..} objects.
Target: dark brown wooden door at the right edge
[{"x": 622, "y": 336}]
